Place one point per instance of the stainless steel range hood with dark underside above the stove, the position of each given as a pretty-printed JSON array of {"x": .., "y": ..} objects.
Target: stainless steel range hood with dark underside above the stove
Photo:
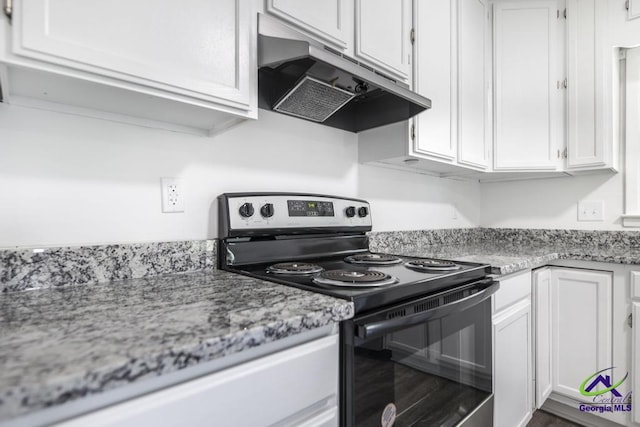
[{"x": 303, "y": 78}]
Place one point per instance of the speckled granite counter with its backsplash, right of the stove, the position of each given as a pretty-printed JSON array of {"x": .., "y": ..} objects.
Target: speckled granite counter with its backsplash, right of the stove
[{"x": 512, "y": 250}]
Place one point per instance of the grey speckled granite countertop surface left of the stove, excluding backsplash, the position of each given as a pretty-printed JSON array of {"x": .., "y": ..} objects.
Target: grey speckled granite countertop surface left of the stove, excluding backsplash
[{"x": 60, "y": 344}]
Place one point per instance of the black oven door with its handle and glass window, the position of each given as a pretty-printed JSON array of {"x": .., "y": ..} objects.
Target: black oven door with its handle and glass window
[{"x": 427, "y": 362}]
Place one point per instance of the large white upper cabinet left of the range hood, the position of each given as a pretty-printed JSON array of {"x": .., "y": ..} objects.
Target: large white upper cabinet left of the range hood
[{"x": 184, "y": 64}]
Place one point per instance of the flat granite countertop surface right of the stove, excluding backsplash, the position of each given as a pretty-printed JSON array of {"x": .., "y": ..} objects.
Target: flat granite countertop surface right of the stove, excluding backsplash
[{"x": 506, "y": 257}]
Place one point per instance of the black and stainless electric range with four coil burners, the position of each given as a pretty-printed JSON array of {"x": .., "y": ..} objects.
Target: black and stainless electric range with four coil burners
[{"x": 418, "y": 350}]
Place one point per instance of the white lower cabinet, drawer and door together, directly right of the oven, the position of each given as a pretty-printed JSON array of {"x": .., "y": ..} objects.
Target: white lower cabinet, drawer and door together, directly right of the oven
[{"x": 513, "y": 351}]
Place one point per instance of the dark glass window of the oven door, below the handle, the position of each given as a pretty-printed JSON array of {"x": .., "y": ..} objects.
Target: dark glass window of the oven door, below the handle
[{"x": 430, "y": 374}]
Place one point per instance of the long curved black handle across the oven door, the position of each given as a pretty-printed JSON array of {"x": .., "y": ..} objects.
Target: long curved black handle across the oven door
[{"x": 375, "y": 328}]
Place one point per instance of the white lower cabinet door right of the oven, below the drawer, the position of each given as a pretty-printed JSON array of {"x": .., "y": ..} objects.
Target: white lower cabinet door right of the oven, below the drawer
[{"x": 513, "y": 354}]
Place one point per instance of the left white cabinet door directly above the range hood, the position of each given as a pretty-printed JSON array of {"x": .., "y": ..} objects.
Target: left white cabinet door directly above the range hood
[{"x": 331, "y": 21}]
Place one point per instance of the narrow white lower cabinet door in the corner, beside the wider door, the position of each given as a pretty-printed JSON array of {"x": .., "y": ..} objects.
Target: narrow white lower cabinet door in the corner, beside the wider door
[{"x": 542, "y": 310}]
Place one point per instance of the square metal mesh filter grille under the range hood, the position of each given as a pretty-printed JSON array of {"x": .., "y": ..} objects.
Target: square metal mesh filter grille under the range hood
[{"x": 313, "y": 99}]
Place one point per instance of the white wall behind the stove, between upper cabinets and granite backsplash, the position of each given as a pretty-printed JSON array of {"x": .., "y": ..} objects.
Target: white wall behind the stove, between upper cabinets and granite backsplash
[{"x": 70, "y": 180}]
